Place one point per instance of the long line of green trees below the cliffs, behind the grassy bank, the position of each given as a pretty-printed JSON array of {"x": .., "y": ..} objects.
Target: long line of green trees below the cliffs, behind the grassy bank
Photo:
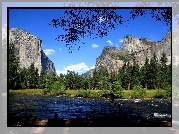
[{"x": 153, "y": 75}]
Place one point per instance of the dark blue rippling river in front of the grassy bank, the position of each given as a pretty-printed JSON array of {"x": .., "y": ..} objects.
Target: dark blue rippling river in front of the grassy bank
[{"x": 44, "y": 107}]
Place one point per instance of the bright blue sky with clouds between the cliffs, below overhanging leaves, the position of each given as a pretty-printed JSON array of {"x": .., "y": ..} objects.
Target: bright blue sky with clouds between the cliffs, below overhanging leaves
[{"x": 35, "y": 21}]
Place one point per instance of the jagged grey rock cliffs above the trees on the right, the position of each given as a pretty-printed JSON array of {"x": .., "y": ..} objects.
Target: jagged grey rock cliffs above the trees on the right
[{"x": 133, "y": 49}]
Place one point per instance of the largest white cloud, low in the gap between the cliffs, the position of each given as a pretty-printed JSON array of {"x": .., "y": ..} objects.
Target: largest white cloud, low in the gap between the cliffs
[{"x": 80, "y": 68}]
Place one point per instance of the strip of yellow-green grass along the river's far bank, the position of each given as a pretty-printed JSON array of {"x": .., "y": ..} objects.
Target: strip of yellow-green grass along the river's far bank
[{"x": 89, "y": 93}]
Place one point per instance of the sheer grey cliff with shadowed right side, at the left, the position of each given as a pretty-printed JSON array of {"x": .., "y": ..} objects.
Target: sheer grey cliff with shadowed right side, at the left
[{"x": 28, "y": 48}]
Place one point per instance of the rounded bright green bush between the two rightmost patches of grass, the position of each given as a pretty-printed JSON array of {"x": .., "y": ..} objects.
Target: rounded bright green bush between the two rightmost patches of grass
[{"x": 138, "y": 91}]
